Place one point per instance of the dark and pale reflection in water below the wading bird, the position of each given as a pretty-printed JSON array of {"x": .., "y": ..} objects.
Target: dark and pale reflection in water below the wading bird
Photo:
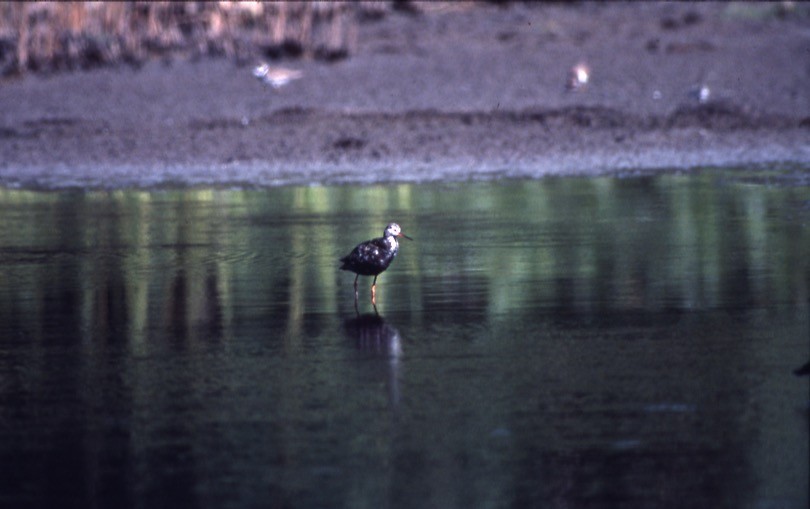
[{"x": 372, "y": 334}]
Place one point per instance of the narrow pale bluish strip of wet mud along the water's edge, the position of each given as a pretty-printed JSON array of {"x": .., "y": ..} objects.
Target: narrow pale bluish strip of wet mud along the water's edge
[{"x": 248, "y": 176}]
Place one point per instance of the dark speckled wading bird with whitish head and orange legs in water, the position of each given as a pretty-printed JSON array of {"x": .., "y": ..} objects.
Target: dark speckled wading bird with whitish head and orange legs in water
[{"x": 372, "y": 257}]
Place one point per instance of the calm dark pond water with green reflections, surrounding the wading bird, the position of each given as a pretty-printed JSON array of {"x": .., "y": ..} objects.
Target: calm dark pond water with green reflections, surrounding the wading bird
[{"x": 607, "y": 342}]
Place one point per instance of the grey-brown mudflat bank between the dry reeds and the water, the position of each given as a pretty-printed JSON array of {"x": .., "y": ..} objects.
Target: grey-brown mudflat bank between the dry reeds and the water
[{"x": 458, "y": 92}]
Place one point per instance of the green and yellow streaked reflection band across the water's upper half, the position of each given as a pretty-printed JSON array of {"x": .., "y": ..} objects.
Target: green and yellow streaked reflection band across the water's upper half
[{"x": 179, "y": 259}]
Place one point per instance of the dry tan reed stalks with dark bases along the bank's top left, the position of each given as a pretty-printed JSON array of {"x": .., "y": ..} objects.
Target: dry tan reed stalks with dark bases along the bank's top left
[{"x": 52, "y": 36}]
